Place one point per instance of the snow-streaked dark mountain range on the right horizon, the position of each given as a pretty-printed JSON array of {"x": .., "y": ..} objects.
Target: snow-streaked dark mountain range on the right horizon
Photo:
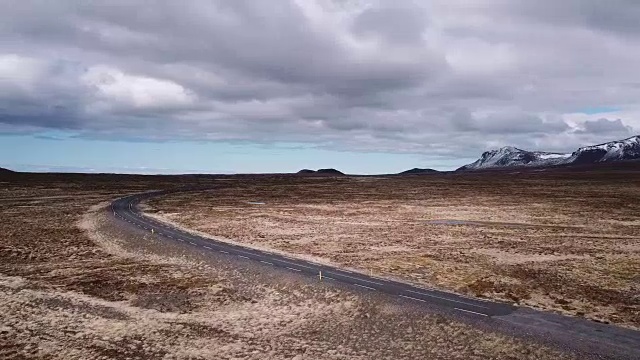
[{"x": 509, "y": 156}]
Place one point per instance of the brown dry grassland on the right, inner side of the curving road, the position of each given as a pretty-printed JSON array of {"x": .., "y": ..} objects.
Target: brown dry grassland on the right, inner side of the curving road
[{"x": 563, "y": 241}]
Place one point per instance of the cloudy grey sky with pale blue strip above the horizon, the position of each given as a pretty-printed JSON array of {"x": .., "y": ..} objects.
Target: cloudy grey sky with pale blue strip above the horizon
[{"x": 265, "y": 86}]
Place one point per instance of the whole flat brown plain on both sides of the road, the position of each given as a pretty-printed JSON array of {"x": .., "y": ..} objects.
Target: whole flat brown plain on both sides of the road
[{"x": 74, "y": 284}]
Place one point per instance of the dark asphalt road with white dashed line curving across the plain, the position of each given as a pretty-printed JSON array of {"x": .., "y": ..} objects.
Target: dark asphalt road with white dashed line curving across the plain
[{"x": 596, "y": 338}]
